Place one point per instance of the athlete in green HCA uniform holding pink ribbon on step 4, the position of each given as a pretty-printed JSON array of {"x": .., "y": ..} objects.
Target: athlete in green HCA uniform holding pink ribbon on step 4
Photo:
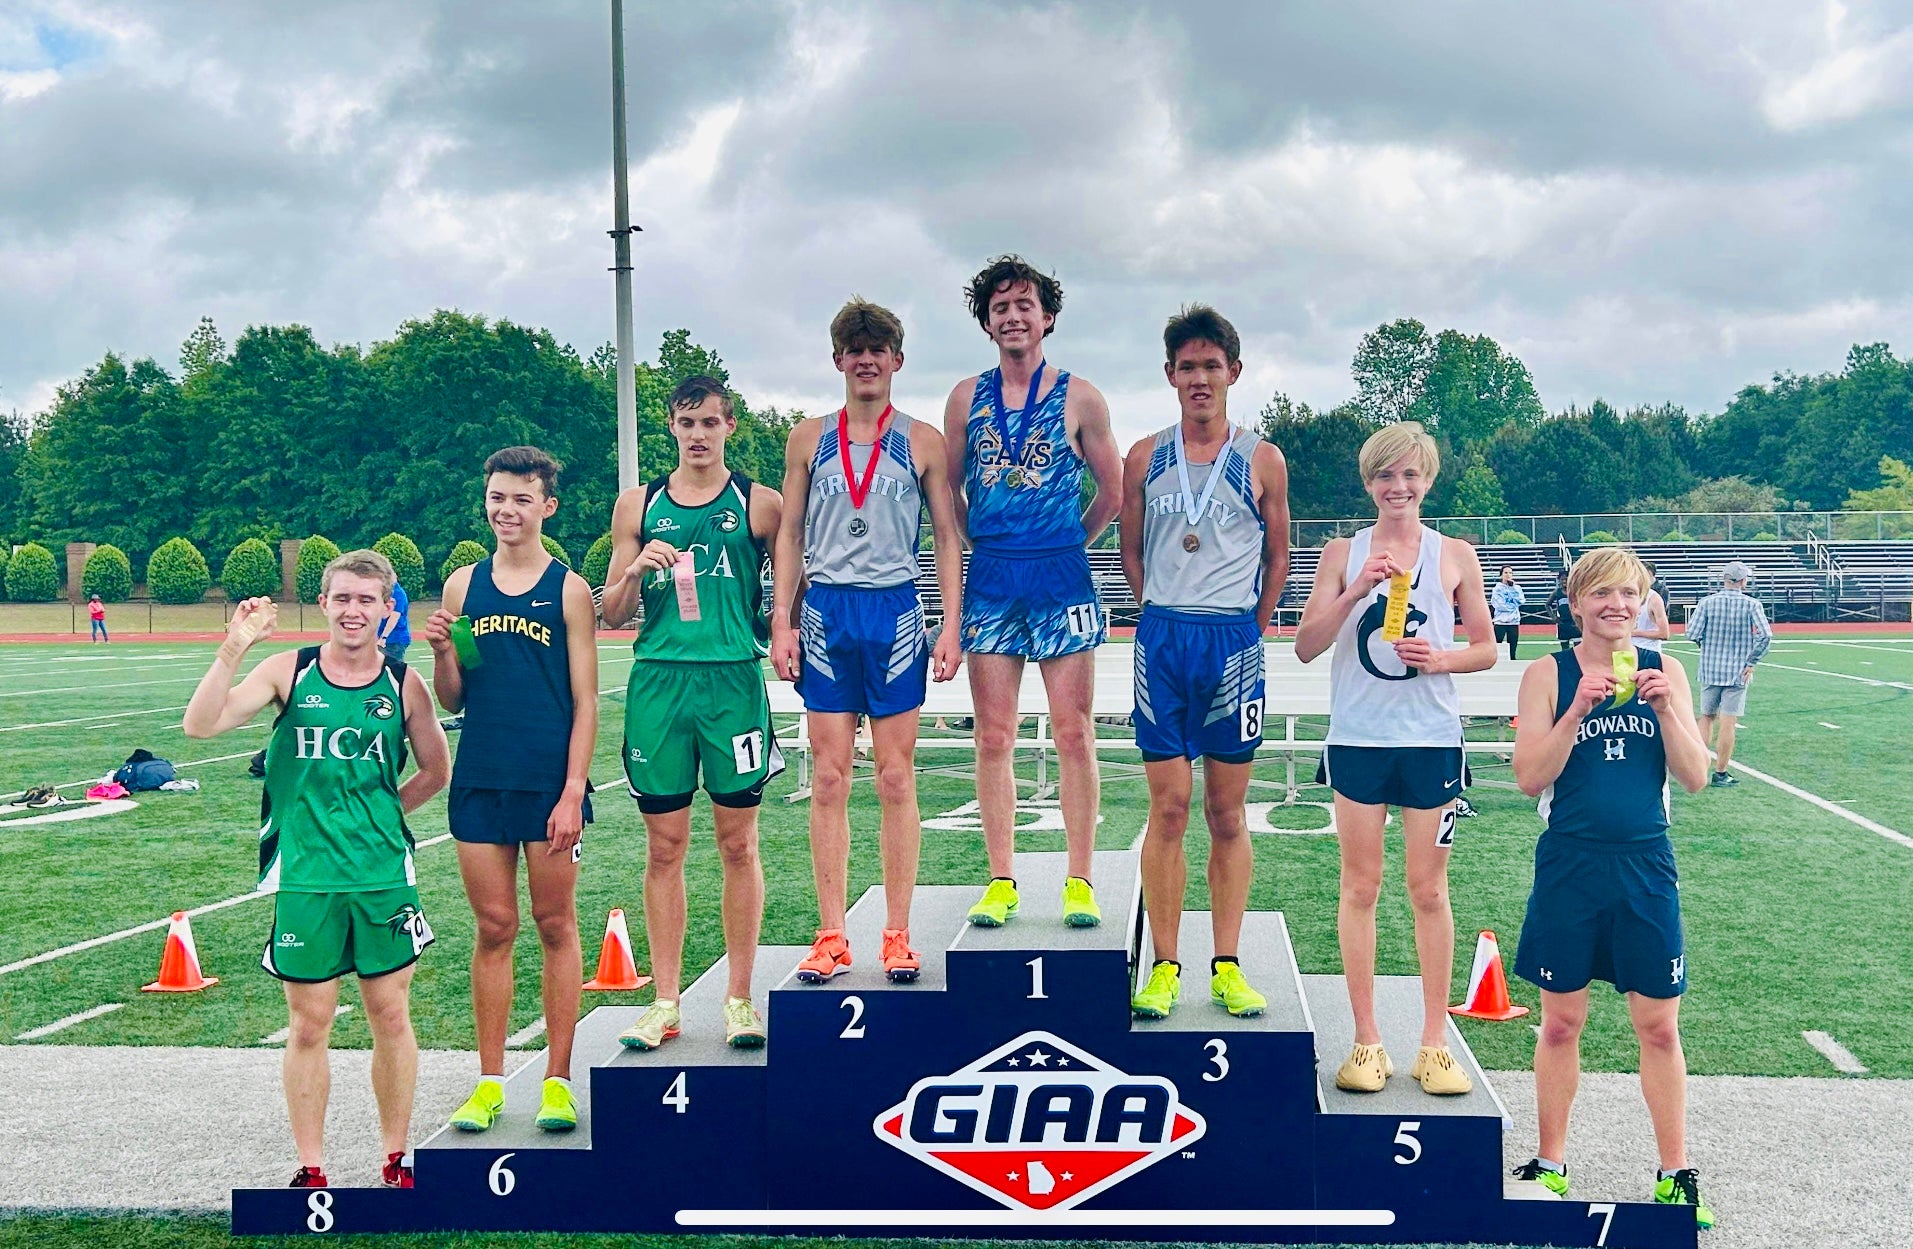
[{"x": 692, "y": 550}]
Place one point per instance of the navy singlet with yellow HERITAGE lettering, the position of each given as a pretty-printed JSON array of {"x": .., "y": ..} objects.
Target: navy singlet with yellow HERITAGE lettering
[{"x": 519, "y": 703}]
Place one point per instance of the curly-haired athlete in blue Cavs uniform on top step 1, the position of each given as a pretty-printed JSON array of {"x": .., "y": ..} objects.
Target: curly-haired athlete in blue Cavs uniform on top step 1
[{"x": 1019, "y": 489}]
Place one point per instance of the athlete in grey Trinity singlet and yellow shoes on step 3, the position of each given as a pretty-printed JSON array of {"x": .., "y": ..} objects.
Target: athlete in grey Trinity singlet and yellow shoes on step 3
[{"x": 1208, "y": 567}]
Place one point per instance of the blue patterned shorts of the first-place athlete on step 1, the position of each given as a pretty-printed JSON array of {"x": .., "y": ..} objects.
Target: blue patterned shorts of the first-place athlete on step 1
[{"x": 1034, "y": 603}]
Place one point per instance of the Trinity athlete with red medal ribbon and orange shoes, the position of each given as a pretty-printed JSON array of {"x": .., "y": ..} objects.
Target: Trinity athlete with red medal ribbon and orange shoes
[{"x": 856, "y": 487}]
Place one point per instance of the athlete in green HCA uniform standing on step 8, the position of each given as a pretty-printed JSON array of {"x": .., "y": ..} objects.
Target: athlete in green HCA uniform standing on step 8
[{"x": 334, "y": 846}]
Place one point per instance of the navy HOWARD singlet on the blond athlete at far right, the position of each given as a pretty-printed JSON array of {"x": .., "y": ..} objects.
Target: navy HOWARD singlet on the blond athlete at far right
[{"x": 1616, "y": 785}]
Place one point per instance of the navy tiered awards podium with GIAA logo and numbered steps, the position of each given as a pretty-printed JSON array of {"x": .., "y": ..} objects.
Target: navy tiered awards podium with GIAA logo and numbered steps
[{"x": 1009, "y": 1095}]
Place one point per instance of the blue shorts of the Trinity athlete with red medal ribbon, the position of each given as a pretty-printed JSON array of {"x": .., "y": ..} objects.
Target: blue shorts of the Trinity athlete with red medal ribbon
[{"x": 864, "y": 649}]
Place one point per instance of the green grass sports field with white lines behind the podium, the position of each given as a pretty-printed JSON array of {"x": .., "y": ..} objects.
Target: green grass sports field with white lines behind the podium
[{"x": 1784, "y": 902}]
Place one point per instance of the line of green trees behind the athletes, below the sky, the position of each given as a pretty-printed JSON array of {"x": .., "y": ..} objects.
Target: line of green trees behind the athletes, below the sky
[{"x": 282, "y": 437}]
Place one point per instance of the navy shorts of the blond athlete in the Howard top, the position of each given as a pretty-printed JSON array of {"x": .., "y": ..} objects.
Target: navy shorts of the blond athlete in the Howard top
[{"x": 1604, "y": 913}]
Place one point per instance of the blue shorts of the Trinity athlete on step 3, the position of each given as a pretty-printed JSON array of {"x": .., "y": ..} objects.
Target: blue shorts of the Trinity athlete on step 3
[{"x": 1198, "y": 686}]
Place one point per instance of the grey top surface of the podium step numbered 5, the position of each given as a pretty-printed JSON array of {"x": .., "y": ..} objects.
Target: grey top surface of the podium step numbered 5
[{"x": 1399, "y": 1015}]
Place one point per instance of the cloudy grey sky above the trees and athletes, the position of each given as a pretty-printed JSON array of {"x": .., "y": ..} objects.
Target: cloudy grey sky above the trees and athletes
[{"x": 1646, "y": 202}]
